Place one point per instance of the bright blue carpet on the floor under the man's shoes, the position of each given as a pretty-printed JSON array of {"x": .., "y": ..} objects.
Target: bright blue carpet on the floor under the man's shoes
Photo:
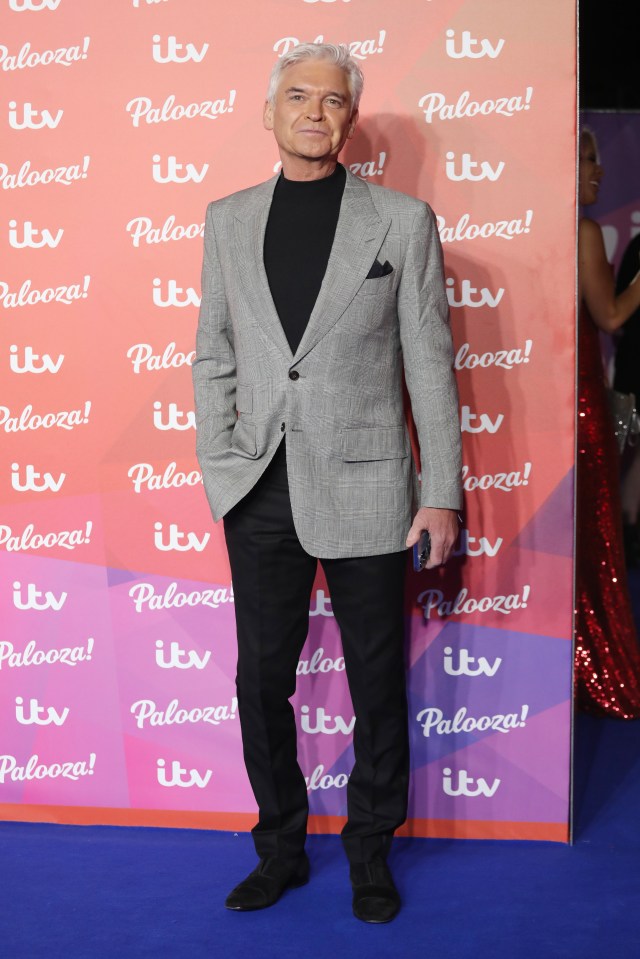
[{"x": 77, "y": 892}]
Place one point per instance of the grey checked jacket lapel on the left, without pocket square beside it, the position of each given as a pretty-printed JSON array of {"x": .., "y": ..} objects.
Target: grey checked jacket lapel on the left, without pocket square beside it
[{"x": 251, "y": 224}]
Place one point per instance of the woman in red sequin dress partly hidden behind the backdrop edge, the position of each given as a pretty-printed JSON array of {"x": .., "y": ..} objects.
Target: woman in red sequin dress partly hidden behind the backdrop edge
[{"x": 607, "y": 655}]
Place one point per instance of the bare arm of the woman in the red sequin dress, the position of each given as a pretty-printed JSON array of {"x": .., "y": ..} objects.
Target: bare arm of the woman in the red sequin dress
[{"x": 596, "y": 285}]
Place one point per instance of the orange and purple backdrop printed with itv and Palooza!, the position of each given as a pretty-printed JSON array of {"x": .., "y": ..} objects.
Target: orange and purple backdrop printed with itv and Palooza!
[{"x": 119, "y": 123}]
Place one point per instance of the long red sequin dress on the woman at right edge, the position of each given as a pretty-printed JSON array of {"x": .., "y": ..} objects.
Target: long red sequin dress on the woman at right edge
[{"x": 607, "y": 655}]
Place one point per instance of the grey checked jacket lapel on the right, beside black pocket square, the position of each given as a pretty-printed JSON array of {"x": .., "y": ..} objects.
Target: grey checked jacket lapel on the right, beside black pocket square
[{"x": 359, "y": 235}]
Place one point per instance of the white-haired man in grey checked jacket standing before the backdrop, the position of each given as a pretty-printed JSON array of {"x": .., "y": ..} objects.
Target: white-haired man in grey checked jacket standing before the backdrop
[{"x": 317, "y": 290}]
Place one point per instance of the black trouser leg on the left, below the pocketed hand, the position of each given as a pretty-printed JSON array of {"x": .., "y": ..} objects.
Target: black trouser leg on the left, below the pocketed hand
[{"x": 272, "y": 581}]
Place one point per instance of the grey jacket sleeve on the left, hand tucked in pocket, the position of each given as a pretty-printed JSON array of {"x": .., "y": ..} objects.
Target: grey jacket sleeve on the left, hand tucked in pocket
[{"x": 214, "y": 367}]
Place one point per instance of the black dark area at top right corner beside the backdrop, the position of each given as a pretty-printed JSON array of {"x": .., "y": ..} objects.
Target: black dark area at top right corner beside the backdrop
[{"x": 609, "y": 55}]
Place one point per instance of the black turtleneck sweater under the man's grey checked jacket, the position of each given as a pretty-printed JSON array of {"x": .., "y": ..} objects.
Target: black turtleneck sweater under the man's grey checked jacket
[{"x": 298, "y": 239}]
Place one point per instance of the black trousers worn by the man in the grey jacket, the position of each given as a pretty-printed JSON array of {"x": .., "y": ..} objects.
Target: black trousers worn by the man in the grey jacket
[{"x": 272, "y": 581}]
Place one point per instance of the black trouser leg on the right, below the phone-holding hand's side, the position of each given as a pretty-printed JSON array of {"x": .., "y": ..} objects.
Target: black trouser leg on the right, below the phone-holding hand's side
[{"x": 367, "y": 596}]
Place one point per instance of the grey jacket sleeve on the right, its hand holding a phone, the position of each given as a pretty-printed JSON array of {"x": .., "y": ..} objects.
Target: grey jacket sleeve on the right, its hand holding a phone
[{"x": 427, "y": 349}]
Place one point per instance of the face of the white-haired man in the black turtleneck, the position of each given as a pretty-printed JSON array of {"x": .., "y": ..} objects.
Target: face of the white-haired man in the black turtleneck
[{"x": 311, "y": 118}]
